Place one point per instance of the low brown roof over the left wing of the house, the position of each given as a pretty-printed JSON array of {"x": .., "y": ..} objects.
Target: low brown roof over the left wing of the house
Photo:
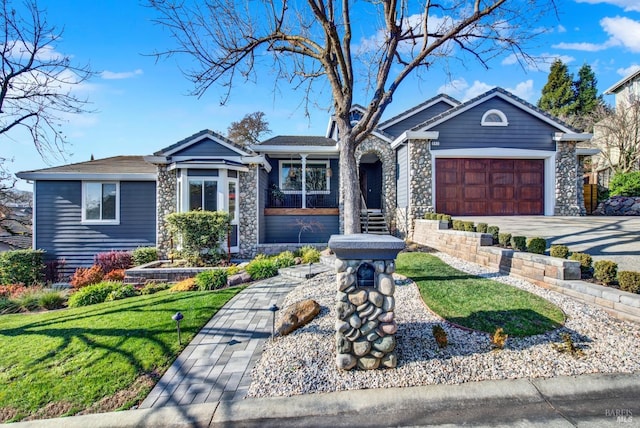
[{"x": 126, "y": 167}]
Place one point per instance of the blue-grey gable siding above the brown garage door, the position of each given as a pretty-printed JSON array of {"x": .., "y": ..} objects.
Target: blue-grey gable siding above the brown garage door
[{"x": 524, "y": 131}]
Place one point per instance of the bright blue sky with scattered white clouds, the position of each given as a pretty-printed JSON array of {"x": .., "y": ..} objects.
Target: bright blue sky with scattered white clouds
[{"x": 140, "y": 104}]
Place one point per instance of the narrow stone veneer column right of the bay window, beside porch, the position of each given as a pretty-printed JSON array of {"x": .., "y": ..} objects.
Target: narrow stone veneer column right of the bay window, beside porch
[{"x": 248, "y": 222}]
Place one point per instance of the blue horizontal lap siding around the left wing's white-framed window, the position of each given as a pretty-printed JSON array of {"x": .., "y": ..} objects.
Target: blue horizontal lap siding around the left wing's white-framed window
[{"x": 60, "y": 233}]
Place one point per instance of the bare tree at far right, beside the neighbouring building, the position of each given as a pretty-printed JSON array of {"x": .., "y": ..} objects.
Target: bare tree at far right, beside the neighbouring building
[{"x": 617, "y": 134}]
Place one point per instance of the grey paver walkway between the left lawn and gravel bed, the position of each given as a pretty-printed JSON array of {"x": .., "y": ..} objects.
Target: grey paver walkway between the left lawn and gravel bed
[{"x": 217, "y": 364}]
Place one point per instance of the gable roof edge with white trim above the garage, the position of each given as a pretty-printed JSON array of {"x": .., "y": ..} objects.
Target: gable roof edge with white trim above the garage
[{"x": 505, "y": 95}]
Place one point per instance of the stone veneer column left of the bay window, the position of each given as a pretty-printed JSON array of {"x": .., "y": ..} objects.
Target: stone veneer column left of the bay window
[{"x": 165, "y": 205}]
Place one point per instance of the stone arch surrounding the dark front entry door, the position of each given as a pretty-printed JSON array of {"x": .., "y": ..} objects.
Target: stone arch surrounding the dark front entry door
[{"x": 388, "y": 159}]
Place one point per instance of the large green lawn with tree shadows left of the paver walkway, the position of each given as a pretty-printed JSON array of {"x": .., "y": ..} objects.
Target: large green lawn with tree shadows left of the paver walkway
[{"x": 73, "y": 358}]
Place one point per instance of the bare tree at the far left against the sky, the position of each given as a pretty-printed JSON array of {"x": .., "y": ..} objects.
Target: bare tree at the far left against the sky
[{"x": 36, "y": 82}]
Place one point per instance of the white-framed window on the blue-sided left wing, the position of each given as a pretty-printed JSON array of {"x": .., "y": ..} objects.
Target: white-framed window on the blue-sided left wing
[{"x": 100, "y": 202}]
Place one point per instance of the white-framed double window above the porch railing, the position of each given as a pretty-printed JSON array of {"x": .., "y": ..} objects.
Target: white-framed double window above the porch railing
[{"x": 316, "y": 178}]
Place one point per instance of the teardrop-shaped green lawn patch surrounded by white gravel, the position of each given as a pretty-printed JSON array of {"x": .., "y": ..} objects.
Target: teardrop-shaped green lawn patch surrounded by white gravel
[{"x": 478, "y": 303}]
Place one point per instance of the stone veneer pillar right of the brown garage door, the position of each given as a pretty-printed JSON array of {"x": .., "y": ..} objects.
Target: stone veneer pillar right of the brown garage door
[{"x": 568, "y": 183}]
